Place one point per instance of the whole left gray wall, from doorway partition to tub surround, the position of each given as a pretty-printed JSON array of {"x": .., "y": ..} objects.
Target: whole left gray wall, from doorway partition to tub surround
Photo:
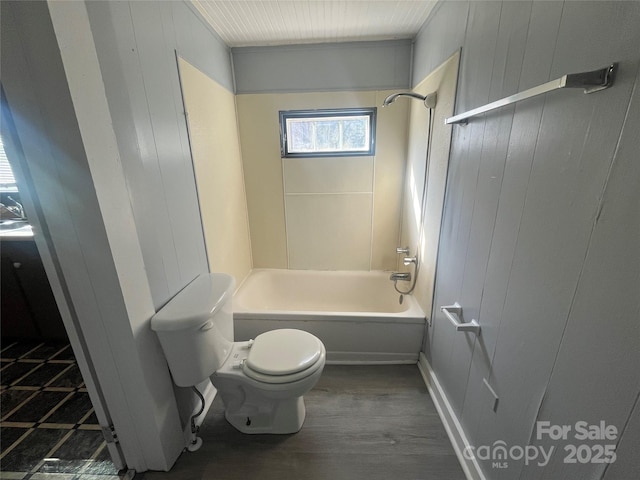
[{"x": 136, "y": 45}]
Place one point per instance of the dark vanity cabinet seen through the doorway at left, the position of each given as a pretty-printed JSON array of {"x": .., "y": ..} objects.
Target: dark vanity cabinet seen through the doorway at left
[{"x": 28, "y": 309}]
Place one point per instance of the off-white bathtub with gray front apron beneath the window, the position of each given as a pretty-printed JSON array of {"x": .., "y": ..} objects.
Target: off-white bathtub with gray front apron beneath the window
[{"x": 357, "y": 315}]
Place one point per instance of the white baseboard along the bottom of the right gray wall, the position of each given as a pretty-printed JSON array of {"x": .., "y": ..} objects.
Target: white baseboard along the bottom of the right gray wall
[{"x": 449, "y": 419}]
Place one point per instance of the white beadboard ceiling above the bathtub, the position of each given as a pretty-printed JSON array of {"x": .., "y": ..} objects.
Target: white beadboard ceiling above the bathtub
[{"x": 243, "y": 23}]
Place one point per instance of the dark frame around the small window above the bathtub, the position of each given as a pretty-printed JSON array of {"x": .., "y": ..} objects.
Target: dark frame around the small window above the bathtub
[{"x": 371, "y": 112}]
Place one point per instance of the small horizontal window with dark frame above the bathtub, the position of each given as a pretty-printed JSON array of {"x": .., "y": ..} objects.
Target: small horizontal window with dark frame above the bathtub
[{"x": 328, "y": 133}]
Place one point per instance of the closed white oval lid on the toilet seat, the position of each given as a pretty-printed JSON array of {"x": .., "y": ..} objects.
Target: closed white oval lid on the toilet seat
[{"x": 283, "y": 352}]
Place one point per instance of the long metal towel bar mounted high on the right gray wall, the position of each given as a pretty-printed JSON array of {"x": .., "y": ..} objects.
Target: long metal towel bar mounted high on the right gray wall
[{"x": 590, "y": 81}]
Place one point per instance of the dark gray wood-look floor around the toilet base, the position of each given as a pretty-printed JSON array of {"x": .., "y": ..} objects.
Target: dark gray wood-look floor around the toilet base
[{"x": 363, "y": 422}]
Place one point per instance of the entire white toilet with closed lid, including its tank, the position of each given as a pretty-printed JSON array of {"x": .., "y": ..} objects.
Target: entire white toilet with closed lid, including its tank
[{"x": 261, "y": 381}]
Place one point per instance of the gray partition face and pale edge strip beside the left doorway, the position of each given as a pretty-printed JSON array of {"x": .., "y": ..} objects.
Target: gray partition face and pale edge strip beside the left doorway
[{"x": 80, "y": 231}]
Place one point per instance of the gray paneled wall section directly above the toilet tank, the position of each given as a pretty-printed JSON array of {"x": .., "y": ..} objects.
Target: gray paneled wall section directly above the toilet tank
[{"x": 136, "y": 44}]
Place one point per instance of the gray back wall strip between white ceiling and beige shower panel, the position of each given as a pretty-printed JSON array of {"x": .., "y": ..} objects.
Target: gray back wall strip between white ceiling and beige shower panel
[{"x": 323, "y": 67}]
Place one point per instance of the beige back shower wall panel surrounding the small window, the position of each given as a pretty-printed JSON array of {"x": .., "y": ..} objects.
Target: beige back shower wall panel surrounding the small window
[{"x": 335, "y": 213}]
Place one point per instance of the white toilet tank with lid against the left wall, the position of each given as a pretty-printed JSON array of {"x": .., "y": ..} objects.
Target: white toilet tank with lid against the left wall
[{"x": 195, "y": 328}]
